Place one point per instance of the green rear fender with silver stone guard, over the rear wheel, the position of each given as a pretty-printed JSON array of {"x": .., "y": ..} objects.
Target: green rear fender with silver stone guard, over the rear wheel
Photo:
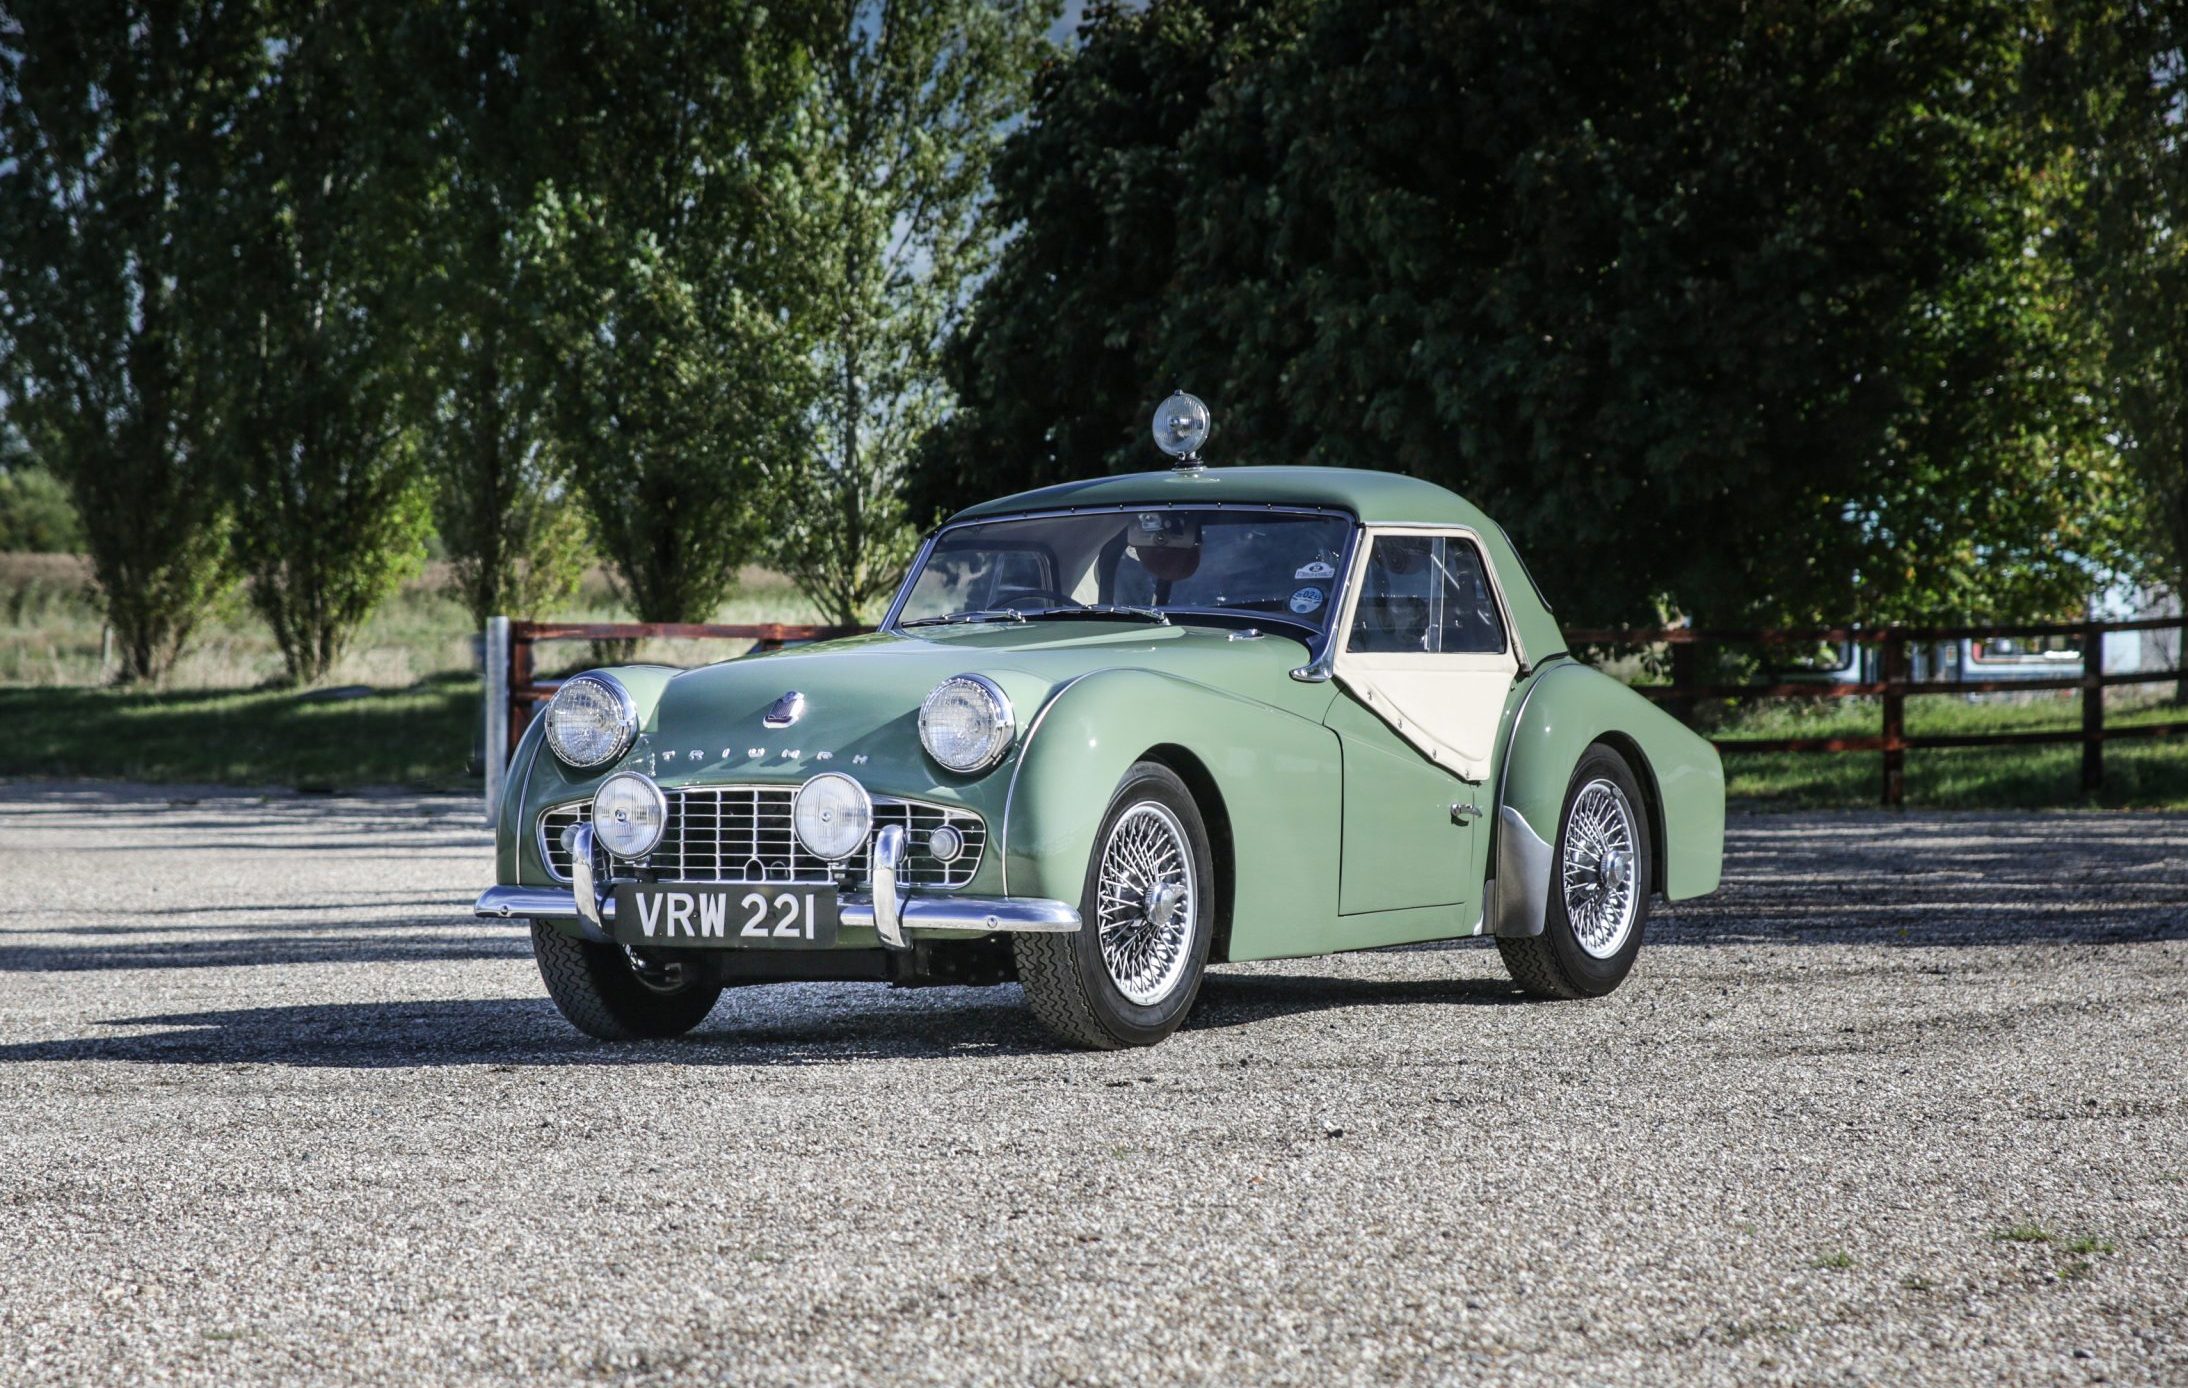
[{"x": 1563, "y": 713}]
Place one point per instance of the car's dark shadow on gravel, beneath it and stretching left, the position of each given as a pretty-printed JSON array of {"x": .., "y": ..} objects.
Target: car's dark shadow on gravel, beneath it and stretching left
[{"x": 778, "y": 1026}]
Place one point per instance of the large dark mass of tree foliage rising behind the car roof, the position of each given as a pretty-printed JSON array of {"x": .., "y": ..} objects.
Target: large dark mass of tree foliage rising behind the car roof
[{"x": 1741, "y": 312}]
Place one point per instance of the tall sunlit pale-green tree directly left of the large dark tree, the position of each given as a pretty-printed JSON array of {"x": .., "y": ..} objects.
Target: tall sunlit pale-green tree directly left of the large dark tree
[{"x": 907, "y": 108}]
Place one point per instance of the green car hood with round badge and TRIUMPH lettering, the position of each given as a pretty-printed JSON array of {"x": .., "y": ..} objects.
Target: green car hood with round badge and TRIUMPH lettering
[{"x": 863, "y": 695}]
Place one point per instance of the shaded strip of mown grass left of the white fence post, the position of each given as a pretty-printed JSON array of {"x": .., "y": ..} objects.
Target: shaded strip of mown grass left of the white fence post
[{"x": 419, "y": 737}]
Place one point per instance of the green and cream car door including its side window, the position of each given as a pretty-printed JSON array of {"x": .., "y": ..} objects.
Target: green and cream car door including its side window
[{"x": 1425, "y": 664}]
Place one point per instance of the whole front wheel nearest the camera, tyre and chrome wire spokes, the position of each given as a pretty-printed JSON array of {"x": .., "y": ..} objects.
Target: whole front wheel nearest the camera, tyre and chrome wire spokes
[{"x": 1130, "y": 975}]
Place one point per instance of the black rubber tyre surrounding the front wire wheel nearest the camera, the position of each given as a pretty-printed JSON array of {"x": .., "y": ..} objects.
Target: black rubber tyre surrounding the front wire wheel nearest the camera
[{"x": 1067, "y": 980}]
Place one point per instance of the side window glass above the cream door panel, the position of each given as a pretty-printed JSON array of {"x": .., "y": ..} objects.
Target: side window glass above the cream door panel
[{"x": 1425, "y": 592}]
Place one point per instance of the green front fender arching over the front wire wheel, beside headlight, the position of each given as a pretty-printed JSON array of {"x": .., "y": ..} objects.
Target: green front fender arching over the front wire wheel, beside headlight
[{"x": 1275, "y": 774}]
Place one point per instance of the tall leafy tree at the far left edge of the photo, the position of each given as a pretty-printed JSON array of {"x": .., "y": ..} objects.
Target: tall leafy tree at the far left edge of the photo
[{"x": 113, "y": 117}]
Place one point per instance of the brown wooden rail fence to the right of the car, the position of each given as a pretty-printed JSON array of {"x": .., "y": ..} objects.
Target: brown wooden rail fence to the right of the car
[{"x": 1896, "y": 684}]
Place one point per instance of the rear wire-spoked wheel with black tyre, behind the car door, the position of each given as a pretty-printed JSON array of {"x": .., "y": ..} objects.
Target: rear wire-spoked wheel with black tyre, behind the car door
[{"x": 1598, "y": 890}]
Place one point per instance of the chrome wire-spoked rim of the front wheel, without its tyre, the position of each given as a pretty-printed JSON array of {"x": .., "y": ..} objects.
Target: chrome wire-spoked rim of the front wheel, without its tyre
[{"x": 1148, "y": 905}]
